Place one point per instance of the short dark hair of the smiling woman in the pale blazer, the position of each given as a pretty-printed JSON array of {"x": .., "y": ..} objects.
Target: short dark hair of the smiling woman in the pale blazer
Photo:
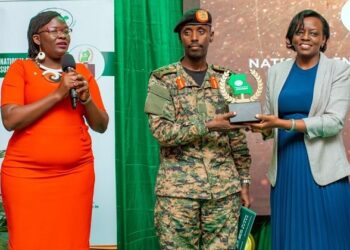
[{"x": 298, "y": 22}]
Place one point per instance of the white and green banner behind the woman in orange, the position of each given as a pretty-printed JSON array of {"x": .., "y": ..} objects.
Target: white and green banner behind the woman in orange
[{"x": 92, "y": 42}]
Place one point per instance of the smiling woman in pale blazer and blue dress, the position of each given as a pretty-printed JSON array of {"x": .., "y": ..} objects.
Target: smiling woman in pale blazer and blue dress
[{"x": 307, "y": 101}]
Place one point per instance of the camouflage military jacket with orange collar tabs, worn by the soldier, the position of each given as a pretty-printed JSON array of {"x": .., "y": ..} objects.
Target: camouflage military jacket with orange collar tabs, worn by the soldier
[{"x": 195, "y": 163}]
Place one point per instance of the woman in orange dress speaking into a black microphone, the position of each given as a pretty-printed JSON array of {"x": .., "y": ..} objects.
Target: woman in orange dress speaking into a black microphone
[{"x": 47, "y": 176}]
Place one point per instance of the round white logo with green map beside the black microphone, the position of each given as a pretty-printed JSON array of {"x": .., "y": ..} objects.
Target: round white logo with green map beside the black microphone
[{"x": 90, "y": 56}]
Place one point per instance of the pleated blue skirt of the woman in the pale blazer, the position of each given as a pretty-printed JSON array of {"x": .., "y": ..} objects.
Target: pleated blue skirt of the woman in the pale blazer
[{"x": 305, "y": 215}]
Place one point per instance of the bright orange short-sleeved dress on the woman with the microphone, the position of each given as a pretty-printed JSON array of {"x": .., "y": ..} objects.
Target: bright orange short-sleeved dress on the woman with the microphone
[{"x": 47, "y": 176}]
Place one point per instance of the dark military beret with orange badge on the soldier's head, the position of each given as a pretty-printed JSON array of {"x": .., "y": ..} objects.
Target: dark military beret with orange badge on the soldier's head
[{"x": 194, "y": 16}]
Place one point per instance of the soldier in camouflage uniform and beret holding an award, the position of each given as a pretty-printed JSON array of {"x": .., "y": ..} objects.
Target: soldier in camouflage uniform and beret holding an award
[{"x": 204, "y": 161}]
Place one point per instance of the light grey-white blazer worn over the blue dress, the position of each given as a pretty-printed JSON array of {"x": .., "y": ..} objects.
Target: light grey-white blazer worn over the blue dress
[{"x": 323, "y": 139}]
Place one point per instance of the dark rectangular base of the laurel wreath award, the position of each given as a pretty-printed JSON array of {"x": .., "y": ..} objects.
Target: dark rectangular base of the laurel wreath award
[{"x": 245, "y": 112}]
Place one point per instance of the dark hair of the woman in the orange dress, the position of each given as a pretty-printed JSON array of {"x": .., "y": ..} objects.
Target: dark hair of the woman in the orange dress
[{"x": 38, "y": 21}]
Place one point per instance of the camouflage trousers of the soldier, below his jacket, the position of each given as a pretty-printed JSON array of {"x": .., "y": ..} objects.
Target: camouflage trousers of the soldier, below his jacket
[{"x": 188, "y": 224}]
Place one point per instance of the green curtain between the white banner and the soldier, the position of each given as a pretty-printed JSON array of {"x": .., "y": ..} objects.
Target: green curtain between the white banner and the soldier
[{"x": 144, "y": 41}]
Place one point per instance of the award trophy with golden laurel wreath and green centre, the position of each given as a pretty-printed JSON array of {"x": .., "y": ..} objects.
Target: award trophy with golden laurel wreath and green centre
[{"x": 242, "y": 99}]
